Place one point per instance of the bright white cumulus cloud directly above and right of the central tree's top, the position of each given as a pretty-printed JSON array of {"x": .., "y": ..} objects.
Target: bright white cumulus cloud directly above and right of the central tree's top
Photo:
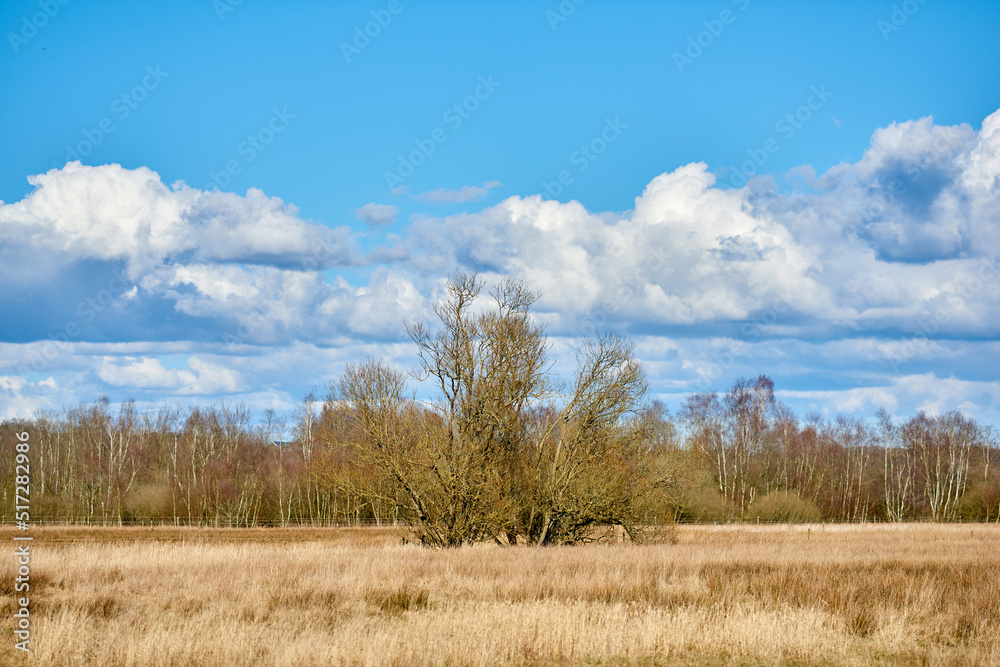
[{"x": 689, "y": 252}]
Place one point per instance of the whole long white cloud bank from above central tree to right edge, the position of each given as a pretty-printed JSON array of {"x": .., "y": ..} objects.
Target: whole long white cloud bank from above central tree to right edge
[{"x": 896, "y": 242}]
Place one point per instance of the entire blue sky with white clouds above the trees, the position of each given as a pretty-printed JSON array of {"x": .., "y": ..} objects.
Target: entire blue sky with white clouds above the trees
[{"x": 265, "y": 192}]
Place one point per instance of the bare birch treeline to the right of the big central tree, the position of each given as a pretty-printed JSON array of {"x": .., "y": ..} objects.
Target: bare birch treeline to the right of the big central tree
[{"x": 763, "y": 463}]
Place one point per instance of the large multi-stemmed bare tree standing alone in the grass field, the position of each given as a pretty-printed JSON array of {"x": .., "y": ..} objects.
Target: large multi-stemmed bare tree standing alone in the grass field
[{"x": 487, "y": 459}]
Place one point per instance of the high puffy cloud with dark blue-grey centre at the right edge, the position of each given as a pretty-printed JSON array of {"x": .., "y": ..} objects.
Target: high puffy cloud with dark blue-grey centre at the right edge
[{"x": 922, "y": 192}]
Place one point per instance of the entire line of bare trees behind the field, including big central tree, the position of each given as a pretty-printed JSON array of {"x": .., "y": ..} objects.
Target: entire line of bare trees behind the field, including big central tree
[{"x": 503, "y": 451}]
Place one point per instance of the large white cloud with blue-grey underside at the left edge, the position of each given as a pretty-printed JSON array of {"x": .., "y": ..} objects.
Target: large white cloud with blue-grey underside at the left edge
[{"x": 116, "y": 255}]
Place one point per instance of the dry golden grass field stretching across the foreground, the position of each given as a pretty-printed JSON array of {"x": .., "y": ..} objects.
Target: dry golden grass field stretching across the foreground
[{"x": 848, "y": 594}]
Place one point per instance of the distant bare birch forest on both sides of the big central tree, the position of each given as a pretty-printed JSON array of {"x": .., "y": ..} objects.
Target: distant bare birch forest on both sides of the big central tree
[{"x": 738, "y": 456}]
